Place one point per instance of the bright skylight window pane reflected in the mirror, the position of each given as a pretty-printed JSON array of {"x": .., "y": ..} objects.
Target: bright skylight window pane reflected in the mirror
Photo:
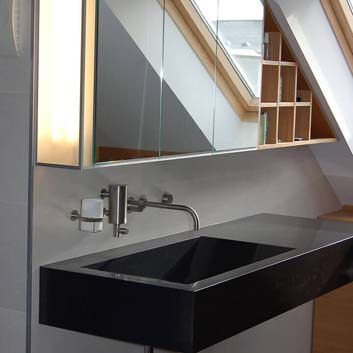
[{"x": 238, "y": 27}]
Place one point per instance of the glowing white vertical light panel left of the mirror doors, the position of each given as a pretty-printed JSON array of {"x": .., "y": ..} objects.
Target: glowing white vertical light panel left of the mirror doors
[{"x": 59, "y": 81}]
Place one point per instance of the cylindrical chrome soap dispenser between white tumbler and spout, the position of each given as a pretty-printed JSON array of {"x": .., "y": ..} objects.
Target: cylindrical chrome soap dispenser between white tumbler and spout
[{"x": 117, "y": 212}]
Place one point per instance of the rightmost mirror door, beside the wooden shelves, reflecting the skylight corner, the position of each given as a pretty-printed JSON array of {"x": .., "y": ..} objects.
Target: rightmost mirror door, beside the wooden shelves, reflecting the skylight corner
[{"x": 239, "y": 52}]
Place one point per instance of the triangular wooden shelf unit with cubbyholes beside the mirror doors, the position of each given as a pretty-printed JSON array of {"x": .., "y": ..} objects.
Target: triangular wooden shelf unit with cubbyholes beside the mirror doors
[{"x": 294, "y": 116}]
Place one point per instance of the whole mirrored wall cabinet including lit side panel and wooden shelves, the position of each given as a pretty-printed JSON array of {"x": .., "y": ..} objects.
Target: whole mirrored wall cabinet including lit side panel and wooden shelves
[{"x": 169, "y": 79}]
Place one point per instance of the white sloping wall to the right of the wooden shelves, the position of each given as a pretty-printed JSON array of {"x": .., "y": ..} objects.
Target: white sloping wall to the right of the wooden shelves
[{"x": 315, "y": 43}]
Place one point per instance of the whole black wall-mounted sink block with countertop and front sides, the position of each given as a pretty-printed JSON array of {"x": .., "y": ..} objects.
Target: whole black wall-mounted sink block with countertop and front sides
[{"x": 189, "y": 291}]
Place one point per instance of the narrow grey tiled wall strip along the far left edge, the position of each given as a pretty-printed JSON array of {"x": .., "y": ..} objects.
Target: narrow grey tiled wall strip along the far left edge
[{"x": 14, "y": 156}]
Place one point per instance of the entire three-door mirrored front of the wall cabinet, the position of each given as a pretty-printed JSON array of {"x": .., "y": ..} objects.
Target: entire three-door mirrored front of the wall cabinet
[{"x": 176, "y": 77}]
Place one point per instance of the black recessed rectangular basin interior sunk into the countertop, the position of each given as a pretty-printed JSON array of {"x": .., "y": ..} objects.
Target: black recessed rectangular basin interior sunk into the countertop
[{"x": 190, "y": 261}]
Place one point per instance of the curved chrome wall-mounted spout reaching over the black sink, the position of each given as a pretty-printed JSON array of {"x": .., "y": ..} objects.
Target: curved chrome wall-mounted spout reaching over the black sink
[{"x": 142, "y": 203}]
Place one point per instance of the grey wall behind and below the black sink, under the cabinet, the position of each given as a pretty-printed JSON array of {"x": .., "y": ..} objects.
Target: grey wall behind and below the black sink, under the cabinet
[{"x": 220, "y": 188}]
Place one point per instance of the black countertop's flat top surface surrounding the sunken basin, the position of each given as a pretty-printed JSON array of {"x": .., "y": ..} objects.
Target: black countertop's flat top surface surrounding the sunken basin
[{"x": 303, "y": 235}]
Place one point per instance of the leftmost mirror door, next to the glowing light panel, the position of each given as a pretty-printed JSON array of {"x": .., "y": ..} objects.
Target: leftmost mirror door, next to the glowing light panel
[{"x": 128, "y": 85}]
